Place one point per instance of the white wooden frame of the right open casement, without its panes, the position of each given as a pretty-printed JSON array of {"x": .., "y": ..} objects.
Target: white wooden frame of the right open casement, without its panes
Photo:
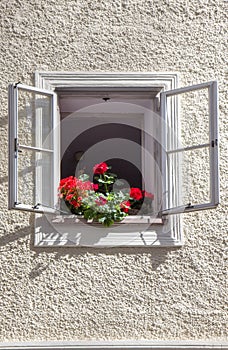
[{"x": 169, "y": 208}]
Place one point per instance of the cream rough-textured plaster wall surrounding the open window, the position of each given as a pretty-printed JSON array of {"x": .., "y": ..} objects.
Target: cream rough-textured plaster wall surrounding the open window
[{"x": 71, "y": 293}]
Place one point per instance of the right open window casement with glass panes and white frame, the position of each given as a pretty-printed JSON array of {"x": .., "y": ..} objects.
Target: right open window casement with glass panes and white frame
[{"x": 190, "y": 144}]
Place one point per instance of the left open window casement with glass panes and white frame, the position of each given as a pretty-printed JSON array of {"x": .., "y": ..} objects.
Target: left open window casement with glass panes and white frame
[{"x": 33, "y": 149}]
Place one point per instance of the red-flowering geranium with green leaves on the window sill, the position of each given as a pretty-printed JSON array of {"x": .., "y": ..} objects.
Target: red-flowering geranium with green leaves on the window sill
[{"x": 97, "y": 201}]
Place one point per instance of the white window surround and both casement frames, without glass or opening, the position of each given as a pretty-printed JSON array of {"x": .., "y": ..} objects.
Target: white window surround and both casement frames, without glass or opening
[{"x": 63, "y": 231}]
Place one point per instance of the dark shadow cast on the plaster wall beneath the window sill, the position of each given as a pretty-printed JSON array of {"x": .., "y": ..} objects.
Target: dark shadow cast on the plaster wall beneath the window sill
[{"x": 45, "y": 256}]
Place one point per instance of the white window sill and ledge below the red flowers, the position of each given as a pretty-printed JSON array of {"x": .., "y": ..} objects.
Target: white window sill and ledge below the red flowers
[{"x": 133, "y": 231}]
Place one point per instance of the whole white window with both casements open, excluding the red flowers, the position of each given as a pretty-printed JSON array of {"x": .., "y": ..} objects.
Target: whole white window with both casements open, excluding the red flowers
[{"x": 148, "y": 141}]
